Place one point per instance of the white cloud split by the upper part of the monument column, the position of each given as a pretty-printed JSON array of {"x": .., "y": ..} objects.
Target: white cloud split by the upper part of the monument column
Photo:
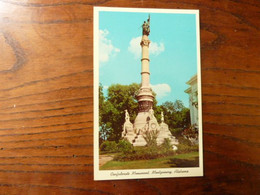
[{"x": 135, "y": 48}]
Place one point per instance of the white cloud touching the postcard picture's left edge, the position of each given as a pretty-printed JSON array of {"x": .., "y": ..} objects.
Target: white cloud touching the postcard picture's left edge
[{"x": 106, "y": 48}]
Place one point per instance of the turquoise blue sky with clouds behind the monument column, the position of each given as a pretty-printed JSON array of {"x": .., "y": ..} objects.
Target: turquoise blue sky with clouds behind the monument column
[{"x": 173, "y": 51}]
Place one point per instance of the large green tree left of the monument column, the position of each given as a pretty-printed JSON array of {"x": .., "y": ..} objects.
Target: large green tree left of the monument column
[{"x": 119, "y": 99}]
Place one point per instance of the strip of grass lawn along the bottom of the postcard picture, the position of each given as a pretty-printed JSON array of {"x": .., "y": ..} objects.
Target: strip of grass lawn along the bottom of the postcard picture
[{"x": 179, "y": 160}]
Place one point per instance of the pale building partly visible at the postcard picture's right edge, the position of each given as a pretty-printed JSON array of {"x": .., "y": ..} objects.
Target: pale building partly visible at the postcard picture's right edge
[{"x": 193, "y": 99}]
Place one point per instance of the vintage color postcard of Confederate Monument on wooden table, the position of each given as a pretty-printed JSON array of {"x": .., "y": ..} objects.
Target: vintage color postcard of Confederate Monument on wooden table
[{"x": 147, "y": 94}]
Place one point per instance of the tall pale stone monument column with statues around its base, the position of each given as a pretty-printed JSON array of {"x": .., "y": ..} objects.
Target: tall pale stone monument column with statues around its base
[{"x": 145, "y": 122}]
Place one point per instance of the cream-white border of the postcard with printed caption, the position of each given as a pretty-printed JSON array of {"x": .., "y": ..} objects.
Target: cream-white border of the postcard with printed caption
[{"x": 143, "y": 173}]
